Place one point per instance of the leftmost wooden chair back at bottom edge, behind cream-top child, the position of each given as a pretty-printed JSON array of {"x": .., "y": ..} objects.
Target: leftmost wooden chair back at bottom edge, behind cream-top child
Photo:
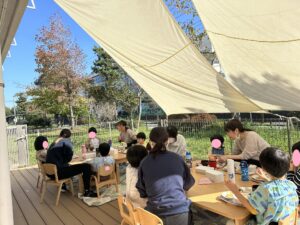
[{"x": 126, "y": 209}]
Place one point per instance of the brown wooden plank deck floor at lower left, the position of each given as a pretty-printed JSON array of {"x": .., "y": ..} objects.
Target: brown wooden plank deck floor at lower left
[{"x": 70, "y": 211}]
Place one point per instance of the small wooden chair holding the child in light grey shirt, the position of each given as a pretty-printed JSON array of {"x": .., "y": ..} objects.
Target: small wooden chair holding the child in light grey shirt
[{"x": 105, "y": 171}]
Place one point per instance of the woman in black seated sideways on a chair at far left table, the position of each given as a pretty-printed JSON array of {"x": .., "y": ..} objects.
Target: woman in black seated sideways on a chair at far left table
[{"x": 60, "y": 153}]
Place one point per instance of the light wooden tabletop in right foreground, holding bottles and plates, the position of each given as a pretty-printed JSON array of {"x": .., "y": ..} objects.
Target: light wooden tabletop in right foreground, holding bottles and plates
[{"x": 205, "y": 196}]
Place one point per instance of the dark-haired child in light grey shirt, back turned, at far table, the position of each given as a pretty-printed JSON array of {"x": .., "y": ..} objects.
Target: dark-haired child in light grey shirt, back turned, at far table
[{"x": 102, "y": 157}]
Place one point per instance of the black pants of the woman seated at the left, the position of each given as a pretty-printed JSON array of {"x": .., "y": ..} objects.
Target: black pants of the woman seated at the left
[{"x": 73, "y": 170}]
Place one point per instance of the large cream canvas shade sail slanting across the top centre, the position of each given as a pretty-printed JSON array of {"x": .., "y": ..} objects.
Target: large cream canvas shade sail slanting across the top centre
[{"x": 148, "y": 44}]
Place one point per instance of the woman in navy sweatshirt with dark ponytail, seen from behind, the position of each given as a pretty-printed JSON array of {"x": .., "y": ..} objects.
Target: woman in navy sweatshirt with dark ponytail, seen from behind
[{"x": 163, "y": 178}]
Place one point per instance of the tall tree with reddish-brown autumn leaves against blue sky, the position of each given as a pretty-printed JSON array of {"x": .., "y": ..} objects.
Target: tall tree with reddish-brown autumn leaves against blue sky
[{"x": 61, "y": 67}]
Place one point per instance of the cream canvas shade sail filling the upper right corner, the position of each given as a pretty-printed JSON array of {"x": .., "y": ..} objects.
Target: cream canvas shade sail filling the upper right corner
[{"x": 258, "y": 45}]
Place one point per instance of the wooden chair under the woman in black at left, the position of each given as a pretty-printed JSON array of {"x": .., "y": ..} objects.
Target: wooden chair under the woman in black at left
[{"x": 51, "y": 169}]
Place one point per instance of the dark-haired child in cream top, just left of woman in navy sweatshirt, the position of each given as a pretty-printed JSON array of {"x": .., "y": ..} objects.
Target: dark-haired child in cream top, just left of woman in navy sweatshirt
[{"x": 135, "y": 155}]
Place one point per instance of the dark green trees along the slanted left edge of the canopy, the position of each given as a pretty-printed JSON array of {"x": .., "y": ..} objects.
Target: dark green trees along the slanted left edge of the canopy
[{"x": 114, "y": 85}]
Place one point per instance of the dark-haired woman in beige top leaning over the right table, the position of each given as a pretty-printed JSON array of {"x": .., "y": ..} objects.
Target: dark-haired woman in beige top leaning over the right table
[{"x": 247, "y": 144}]
